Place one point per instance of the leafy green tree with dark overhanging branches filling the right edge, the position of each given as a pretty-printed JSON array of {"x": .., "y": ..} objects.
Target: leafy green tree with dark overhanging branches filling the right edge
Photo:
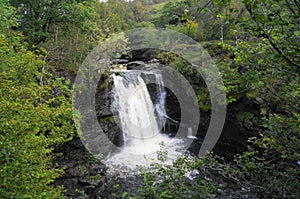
[{"x": 266, "y": 67}]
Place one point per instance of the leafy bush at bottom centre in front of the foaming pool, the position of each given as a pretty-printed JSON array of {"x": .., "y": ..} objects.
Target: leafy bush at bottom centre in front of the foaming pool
[{"x": 177, "y": 181}]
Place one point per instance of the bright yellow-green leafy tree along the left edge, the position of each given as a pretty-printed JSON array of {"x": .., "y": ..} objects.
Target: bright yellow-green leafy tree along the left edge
[{"x": 35, "y": 115}]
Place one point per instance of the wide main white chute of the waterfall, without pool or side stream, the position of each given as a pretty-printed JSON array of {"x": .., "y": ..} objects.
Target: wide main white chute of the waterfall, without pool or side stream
[{"x": 136, "y": 110}]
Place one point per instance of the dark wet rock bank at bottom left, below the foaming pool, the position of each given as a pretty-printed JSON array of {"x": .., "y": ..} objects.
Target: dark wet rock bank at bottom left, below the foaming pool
[{"x": 86, "y": 177}]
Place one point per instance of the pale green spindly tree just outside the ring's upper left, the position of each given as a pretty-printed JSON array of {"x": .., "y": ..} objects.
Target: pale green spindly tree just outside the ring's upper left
[{"x": 74, "y": 37}]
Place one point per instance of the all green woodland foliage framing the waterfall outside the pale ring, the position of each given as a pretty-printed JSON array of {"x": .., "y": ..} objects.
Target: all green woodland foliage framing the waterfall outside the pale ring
[{"x": 254, "y": 43}]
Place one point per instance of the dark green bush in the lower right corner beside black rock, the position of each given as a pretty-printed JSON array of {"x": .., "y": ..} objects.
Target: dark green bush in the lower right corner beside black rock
[{"x": 270, "y": 165}]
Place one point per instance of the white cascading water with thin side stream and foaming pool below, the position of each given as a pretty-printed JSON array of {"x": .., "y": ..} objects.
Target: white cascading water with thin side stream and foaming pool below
[{"x": 140, "y": 120}]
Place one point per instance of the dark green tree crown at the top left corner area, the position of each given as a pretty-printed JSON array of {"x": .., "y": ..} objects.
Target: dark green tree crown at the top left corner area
[{"x": 38, "y": 17}]
